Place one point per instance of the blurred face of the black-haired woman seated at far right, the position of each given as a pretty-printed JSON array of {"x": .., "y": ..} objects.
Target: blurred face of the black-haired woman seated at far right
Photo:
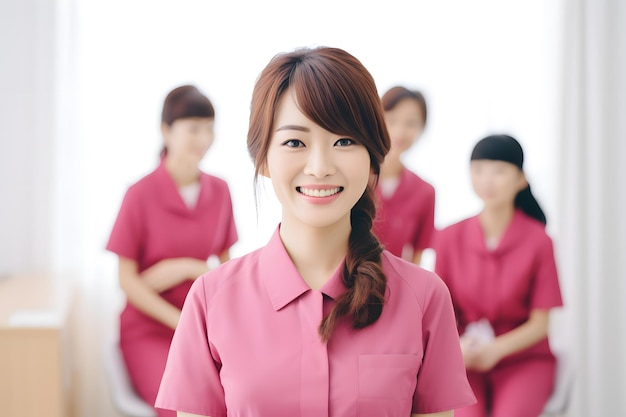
[{"x": 496, "y": 182}]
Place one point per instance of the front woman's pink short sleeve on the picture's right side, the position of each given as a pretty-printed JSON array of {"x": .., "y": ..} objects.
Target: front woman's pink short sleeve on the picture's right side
[{"x": 442, "y": 380}]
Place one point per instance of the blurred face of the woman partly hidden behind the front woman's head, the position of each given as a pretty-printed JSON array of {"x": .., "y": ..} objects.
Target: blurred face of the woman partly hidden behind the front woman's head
[{"x": 405, "y": 124}]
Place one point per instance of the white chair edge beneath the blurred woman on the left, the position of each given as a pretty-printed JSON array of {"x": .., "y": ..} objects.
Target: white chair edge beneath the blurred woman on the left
[{"x": 123, "y": 395}]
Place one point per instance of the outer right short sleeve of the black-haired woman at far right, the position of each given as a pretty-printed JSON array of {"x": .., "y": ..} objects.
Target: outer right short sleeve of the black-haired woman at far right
[{"x": 546, "y": 290}]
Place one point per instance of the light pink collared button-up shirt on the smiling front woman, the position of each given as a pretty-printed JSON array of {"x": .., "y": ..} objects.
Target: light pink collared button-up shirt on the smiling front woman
[{"x": 248, "y": 345}]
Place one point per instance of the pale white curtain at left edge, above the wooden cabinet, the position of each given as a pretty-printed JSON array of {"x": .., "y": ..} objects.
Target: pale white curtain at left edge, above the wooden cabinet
[{"x": 27, "y": 46}]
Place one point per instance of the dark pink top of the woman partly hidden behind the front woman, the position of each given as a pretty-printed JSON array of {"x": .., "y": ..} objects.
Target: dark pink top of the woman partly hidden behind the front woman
[{"x": 407, "y": 217}]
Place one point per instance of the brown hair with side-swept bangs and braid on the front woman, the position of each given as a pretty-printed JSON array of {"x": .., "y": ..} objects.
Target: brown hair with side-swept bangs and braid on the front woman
[{"x": 338, "y": 93}]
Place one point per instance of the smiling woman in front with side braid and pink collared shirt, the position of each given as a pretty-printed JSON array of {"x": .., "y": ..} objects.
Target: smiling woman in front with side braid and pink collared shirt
[{"x": 320, "y": 321}]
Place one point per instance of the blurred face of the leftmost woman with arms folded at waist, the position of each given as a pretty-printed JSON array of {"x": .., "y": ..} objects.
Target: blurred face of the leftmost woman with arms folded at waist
[{"x": 188, "y": 139}]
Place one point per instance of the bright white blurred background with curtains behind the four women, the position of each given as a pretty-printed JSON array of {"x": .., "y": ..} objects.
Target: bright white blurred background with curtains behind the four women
[{"x": 82, "y": 85}]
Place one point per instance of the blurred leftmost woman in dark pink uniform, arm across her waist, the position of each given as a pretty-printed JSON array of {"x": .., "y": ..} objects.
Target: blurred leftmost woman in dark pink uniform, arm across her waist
[{"x": 170, "y": 223}]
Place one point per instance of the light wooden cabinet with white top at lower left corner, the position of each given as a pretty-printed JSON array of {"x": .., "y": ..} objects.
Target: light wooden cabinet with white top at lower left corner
[{"x": 35, "y": 367}]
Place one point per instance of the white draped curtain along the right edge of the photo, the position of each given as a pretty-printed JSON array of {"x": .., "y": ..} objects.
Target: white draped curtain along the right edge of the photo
[{"x": 591, "y": 222}]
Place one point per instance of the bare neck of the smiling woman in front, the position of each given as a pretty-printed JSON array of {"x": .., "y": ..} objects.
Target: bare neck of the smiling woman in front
[{"x": 316, "y": 252}]
